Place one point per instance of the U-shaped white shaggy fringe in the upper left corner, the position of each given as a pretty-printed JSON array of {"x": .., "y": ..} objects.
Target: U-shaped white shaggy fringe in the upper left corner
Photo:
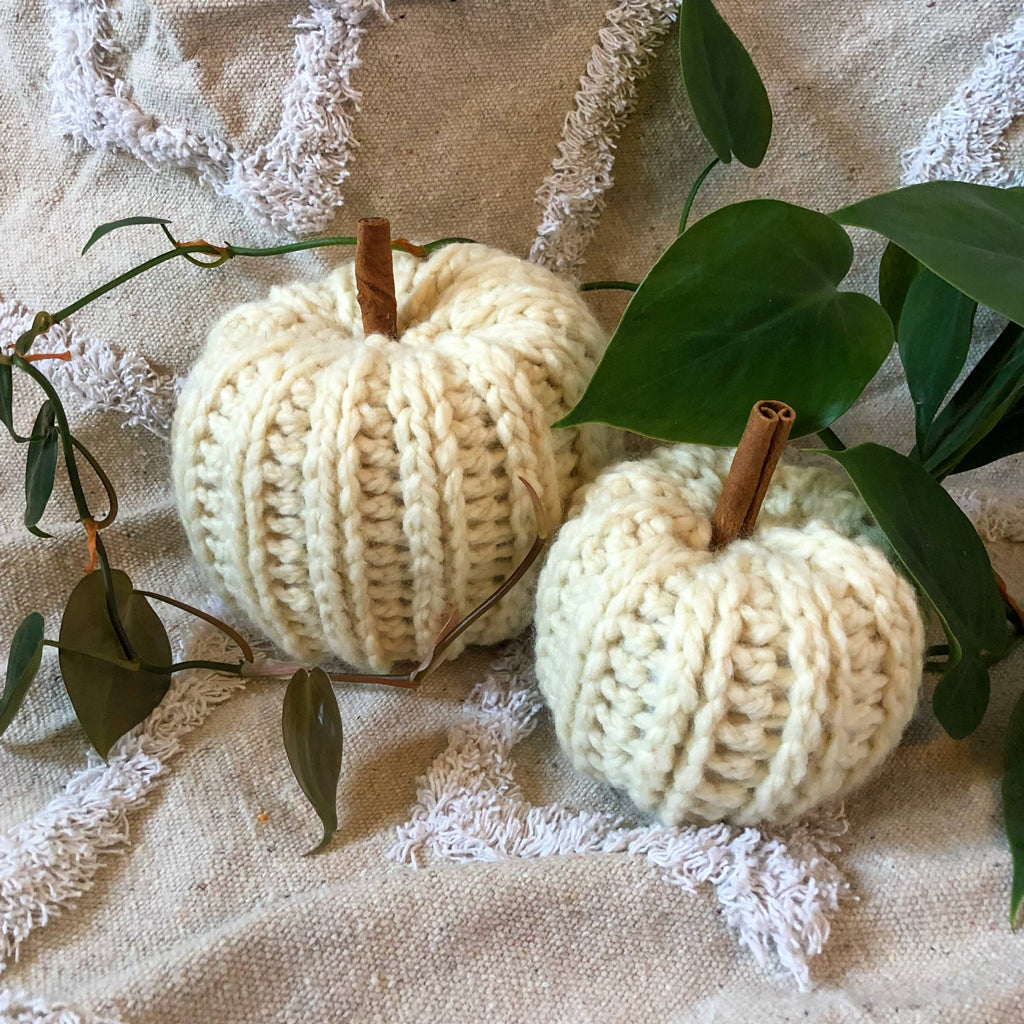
[{"x": 293, "y": 183}]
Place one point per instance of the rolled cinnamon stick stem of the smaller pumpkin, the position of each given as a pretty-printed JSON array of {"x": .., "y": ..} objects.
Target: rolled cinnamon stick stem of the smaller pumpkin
[{"x": 760, "y": 449}]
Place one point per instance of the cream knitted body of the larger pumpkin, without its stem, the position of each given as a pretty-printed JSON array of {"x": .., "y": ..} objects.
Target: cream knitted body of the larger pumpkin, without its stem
[{"x": 345, "y": 492}]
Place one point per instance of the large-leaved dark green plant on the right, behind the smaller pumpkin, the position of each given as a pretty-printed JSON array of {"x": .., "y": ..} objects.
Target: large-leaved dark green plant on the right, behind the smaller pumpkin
[{"x": 747, "y": 303}]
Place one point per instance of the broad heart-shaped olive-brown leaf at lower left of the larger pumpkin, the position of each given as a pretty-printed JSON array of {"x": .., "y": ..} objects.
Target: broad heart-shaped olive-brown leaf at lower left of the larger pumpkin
[{"x": 110, "y": 700}]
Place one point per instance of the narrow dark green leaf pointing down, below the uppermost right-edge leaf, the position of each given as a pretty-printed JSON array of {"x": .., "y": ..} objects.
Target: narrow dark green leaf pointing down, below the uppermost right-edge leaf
[{"x": 934, "y": 339}]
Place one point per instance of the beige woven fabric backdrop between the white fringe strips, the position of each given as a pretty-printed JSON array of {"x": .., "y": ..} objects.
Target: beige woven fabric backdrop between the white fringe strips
[{"x": 215, "y": 915}]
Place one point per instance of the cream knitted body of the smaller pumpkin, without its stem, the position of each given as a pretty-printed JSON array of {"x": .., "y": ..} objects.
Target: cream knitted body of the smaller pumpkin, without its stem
[{"x": 743, "y": 686}]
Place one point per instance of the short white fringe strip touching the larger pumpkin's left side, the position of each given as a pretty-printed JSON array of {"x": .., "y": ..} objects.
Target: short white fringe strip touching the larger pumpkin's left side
[{"x": 100, "y": 378}]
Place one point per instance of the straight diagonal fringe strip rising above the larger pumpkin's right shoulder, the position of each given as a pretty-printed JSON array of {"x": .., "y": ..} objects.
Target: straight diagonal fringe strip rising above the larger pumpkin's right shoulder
[{"x": 573, "y": 196}]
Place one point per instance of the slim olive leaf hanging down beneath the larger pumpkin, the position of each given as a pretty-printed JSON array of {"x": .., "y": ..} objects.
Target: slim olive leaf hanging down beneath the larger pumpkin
[{"x": 312, "y": 728}]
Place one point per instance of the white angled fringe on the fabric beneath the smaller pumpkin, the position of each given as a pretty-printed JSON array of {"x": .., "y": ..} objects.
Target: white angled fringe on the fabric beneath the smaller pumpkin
[{"x": 778, "y": 890}]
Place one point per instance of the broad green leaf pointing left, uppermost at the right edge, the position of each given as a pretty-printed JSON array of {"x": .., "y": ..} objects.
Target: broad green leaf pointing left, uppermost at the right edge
[{"x": 971, "y": 236}]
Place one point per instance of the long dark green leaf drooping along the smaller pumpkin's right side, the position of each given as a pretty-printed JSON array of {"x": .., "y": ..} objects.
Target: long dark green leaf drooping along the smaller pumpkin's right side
[{"x": 945, "y": 557}]
